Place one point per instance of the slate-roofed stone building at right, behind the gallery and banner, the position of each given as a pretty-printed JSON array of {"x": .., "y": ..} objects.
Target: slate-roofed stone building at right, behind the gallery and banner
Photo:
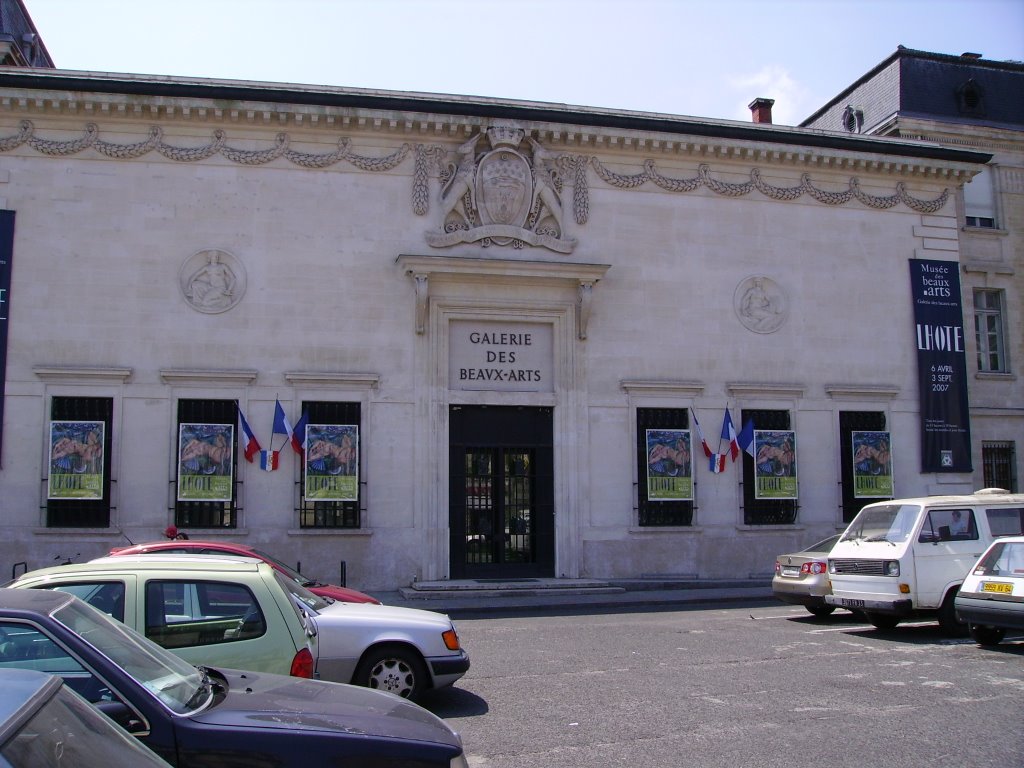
[{"x": 974, "y": 103}]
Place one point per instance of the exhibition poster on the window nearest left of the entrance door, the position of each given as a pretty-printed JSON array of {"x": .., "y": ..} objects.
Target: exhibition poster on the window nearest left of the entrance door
[{"x": 332, "y": 462}]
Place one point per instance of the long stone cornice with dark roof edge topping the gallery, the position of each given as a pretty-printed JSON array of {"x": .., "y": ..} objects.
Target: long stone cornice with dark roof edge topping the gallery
[{"x": 162, "y": 102}]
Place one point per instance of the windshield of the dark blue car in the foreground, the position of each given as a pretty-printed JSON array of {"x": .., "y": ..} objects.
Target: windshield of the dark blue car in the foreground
[{"x": 181, "y": 687}]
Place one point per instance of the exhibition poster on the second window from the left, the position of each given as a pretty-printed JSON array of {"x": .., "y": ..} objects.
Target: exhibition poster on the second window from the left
[{"x": 206, "y": 462}]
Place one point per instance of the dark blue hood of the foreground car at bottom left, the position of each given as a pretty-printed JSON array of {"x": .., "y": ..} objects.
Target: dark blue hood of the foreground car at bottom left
[{"x": 263, "y": 701}]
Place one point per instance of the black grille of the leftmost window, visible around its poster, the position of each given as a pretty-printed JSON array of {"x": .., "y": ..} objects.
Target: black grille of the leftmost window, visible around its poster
[{"x": 88, "y": 514}]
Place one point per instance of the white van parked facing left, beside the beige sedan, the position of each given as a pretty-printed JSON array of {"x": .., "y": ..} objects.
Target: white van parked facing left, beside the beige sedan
[{"x": 908, "y": 558}]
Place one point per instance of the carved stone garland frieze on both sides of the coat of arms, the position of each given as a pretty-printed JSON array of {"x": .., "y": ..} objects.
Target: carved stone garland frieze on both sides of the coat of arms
[{"x": 428, "y": 156}]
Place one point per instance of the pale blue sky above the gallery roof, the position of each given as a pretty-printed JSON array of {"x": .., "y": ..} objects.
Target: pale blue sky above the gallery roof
[{"x": 694, "y": 58}]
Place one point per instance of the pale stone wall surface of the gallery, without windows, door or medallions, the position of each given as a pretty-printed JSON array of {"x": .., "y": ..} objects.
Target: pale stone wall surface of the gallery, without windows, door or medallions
[{"x": 98, "y": 310}]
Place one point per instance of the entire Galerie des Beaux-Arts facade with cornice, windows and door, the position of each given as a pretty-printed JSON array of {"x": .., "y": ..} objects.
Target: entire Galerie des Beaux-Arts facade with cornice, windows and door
[{"x": 506, "y": 325}]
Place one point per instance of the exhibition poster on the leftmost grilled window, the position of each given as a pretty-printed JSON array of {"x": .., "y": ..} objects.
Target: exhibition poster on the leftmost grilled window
[{"x": 77, "y": 459}]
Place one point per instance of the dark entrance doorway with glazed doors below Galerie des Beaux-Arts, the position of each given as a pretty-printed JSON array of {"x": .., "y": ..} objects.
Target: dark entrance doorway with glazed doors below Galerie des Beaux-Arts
[{"x": 501, "y": 492}]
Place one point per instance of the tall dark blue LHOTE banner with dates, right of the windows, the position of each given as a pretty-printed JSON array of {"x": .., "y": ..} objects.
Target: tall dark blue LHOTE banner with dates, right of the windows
[{"x": 946, "y": 421}]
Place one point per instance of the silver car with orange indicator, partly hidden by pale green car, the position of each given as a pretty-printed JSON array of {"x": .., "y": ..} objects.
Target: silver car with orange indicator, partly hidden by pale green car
[{"x": 401, "y": 651}]
